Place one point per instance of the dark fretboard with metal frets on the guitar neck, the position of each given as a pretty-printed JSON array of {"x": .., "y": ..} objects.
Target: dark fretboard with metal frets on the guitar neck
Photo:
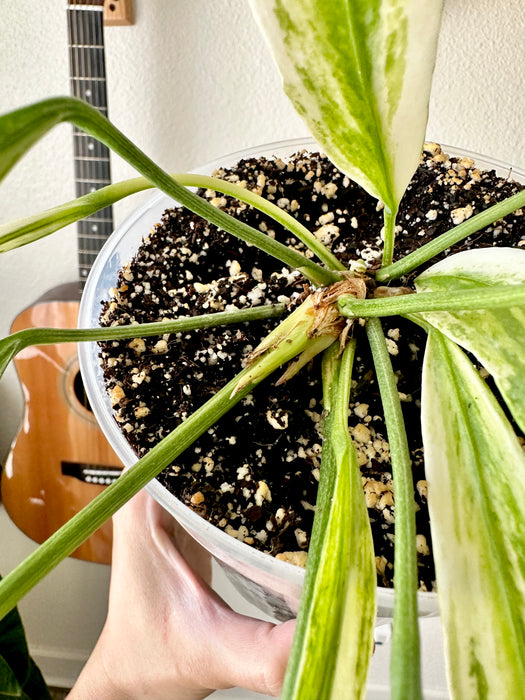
[{"x": 91, "y": 158}]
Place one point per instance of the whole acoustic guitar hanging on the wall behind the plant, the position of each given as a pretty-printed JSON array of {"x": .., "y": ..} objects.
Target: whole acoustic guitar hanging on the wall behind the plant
[{"x": 60, "y": 459}]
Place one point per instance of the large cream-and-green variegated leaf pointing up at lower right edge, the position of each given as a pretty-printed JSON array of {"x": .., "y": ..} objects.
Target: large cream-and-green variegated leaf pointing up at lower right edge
[{"x": 476, "y": 489}]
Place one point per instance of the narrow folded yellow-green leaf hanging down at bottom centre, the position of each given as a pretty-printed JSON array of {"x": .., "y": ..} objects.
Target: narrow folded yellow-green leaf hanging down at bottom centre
[{"x": 333, "y": 642}]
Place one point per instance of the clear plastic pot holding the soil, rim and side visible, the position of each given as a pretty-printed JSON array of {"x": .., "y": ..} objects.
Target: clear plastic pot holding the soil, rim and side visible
[{"x": 272, "y": 585}]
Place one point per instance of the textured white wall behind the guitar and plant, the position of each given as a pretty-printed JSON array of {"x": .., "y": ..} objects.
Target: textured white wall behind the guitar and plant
[{"x": 188, "y": 82}]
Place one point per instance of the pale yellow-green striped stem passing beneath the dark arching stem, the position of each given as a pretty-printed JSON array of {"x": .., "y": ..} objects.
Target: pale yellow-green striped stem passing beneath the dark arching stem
[{"x": 23, "y": 231}]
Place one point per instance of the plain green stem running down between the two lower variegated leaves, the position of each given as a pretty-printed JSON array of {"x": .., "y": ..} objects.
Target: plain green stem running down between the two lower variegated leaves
[{"x": 404, "y": 659}]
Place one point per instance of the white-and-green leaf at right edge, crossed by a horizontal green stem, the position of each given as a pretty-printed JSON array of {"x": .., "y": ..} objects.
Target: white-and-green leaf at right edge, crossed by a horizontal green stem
[{"x": 495, "y": 336}]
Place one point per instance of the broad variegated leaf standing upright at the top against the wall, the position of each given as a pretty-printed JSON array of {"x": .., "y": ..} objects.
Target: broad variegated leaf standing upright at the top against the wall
[{"x": 359, "y": 74}]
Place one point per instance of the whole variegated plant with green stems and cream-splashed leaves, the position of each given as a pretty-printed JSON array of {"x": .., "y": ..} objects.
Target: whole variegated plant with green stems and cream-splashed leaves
[{"x": 361, "y": 78}]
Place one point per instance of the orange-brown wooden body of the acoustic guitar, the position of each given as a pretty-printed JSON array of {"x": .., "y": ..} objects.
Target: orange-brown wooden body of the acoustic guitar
[{"x": 59, "y": 448}]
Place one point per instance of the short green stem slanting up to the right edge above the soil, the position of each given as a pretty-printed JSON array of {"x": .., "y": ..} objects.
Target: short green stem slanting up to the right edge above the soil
[{"x": 458, "y": 233}]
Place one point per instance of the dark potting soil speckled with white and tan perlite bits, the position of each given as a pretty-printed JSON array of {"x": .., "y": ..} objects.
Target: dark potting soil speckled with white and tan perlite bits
[{"x": 255, "y": 474}]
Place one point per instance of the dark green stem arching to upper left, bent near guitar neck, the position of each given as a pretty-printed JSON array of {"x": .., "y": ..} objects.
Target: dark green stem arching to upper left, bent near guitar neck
[{"x": 20, "y": 129}]
